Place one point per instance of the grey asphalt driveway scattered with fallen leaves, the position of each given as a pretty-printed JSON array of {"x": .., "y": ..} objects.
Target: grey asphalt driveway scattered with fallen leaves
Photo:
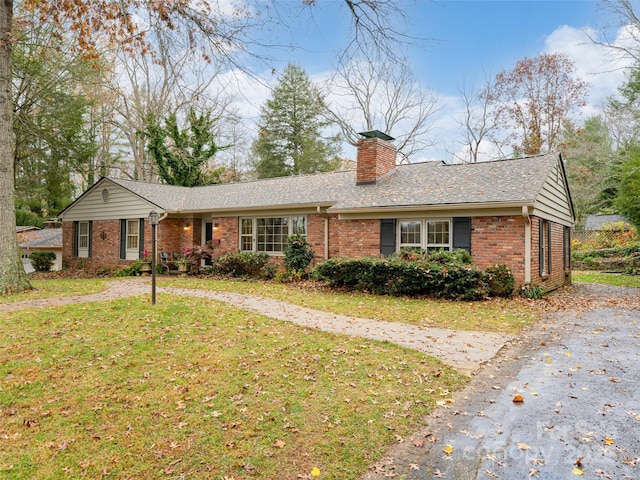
[{"x": 578, "y": 374}]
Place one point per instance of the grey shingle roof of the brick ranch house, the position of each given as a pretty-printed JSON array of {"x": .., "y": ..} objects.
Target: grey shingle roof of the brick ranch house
[{"x": 430, "y": 183}]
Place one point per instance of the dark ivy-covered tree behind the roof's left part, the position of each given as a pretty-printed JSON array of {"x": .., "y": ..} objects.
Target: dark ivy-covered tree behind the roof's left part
[{"x": 183, "y": 155}]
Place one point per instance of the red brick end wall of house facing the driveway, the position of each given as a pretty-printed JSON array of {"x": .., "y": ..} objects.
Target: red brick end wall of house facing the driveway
[{"x": 558, "y": 276}]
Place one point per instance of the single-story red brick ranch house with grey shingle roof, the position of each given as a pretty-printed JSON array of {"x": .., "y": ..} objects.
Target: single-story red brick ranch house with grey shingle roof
[{"x": 515, "y": 211}]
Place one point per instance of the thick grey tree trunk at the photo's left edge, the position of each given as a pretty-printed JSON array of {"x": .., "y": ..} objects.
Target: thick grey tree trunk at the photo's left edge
[{"x": 12, "y": 275}]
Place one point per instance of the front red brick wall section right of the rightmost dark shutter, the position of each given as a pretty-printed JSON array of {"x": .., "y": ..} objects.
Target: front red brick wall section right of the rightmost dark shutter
[{"x": 499, "y": 240}]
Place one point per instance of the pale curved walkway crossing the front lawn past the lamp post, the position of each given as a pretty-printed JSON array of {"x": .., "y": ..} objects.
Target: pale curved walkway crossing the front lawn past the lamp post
[{"x": 463, "y": 350}]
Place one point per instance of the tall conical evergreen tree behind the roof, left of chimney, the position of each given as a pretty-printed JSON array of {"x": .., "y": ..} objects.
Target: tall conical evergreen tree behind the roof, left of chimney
[{"x": 290, "y": 141}]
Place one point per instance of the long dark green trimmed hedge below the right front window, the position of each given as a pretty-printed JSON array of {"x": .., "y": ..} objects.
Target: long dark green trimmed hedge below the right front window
[{"x": 441, "y": 275}]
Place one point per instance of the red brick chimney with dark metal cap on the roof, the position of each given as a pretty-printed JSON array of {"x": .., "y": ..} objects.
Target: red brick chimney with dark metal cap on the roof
[{"x": 376, "y": 157}]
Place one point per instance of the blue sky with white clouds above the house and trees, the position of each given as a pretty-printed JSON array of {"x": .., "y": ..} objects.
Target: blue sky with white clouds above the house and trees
[{"x": 463, "y": 40}]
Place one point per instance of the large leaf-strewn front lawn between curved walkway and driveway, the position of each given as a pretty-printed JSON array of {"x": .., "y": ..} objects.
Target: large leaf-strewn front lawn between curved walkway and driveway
[{"x": 197, "y": 389}]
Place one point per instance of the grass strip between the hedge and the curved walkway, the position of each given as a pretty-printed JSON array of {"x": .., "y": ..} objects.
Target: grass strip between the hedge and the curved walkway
[{"x": 497, "y": 315}]
